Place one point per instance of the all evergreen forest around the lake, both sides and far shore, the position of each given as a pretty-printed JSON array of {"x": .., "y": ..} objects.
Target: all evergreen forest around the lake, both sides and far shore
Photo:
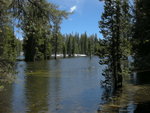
[{"x": 124, "y": 25}]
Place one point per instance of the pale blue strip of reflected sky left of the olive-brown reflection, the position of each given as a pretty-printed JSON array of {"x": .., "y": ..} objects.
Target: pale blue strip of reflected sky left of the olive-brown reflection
[{"x": 18, "y": 94}]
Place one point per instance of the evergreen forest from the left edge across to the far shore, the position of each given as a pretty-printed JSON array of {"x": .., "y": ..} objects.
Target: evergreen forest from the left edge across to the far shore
[{"x": 40, "y": 22}]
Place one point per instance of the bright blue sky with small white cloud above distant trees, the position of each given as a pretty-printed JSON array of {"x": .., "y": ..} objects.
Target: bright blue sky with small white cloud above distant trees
[{"x": 85, "y": 18}]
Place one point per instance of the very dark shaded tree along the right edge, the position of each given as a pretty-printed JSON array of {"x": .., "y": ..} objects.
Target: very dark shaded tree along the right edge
[{"x": 141, "y": 36}]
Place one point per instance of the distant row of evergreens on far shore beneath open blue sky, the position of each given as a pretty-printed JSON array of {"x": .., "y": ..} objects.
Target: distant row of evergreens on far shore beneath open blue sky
[{"x": 76, "y": 44}]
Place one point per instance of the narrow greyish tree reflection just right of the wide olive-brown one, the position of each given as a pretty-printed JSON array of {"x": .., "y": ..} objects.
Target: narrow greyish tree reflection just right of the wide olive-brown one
[{"x": 55, "y": 86}]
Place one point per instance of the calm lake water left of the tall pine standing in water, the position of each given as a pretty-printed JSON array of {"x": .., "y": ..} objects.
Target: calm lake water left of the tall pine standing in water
[{"x": 70, "y": 85}]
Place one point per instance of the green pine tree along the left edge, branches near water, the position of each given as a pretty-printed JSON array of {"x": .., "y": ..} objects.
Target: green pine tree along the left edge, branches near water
[{"x": 7, "y": 44}]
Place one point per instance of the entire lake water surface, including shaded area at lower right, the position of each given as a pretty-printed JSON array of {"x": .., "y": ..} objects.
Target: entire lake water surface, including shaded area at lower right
[{"x": 72, "y": 85}]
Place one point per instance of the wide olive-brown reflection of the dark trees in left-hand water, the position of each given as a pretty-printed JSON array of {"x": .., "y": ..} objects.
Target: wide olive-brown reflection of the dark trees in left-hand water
[{"x": 37, "y": 88}]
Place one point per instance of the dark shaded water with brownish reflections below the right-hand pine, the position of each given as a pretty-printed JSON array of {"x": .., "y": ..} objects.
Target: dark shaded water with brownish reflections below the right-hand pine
[{"x": 130, "y": 98}]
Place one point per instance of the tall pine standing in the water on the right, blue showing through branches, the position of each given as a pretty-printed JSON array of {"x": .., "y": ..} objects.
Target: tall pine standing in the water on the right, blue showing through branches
[{"x": 114, "y": 30}]
